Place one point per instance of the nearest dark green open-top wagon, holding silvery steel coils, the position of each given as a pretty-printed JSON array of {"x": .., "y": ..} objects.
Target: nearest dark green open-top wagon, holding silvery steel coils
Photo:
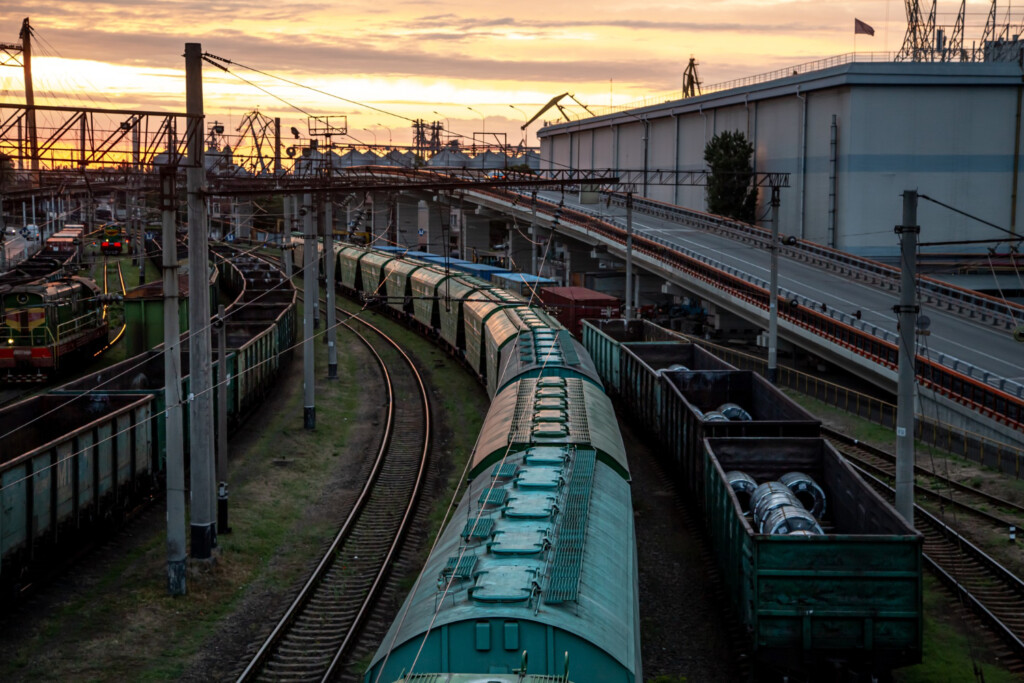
[{"x": 851, "y": 596}]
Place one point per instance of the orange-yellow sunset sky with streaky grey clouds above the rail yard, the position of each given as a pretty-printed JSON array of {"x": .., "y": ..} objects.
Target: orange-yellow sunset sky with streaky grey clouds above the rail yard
[{"x": 411, "y": 59}]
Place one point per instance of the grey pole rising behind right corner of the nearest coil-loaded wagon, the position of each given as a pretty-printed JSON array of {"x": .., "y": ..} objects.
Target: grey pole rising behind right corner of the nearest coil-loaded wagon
[{"x": 907, "y": 382}]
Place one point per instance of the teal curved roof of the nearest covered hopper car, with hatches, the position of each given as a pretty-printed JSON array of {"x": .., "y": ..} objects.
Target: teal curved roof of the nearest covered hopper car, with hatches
[{"x": 492, "y": 583}]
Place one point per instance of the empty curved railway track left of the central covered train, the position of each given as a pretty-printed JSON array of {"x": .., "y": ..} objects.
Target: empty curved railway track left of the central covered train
[{"x": 320, "y": 627}]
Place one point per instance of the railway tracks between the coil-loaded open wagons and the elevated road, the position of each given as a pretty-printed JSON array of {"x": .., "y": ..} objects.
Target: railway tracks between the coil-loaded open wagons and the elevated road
[{"x": 991, "y": 591}]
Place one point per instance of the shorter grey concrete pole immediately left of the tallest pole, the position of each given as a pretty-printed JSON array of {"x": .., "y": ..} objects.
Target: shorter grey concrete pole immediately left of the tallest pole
[{"x": 173, "y": 394}]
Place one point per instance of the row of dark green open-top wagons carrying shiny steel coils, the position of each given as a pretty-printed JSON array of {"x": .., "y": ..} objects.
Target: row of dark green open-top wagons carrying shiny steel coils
[{"x": 843, "y": 603}]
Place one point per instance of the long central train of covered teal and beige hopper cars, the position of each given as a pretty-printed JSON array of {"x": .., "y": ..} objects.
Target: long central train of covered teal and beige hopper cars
[{"x": 536, "y": 574}]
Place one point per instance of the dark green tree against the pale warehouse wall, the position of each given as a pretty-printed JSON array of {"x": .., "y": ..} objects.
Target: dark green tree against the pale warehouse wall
[{"x": 730, "y": 192}]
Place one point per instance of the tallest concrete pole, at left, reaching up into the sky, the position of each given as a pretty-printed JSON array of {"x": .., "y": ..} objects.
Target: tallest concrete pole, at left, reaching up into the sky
[{"x": 203, "y": 518}]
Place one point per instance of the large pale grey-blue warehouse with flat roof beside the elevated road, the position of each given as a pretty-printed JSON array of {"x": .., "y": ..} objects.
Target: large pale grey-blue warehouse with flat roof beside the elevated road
[{"x": 851, "y": 135}]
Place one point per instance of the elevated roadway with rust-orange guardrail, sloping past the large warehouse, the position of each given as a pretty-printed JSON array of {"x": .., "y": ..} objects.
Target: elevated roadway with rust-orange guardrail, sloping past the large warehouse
[{"x": 976, "y": 365}]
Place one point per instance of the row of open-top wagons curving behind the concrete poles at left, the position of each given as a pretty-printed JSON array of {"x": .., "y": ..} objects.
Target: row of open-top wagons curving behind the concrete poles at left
[{"x": 81, "y": 456}]
